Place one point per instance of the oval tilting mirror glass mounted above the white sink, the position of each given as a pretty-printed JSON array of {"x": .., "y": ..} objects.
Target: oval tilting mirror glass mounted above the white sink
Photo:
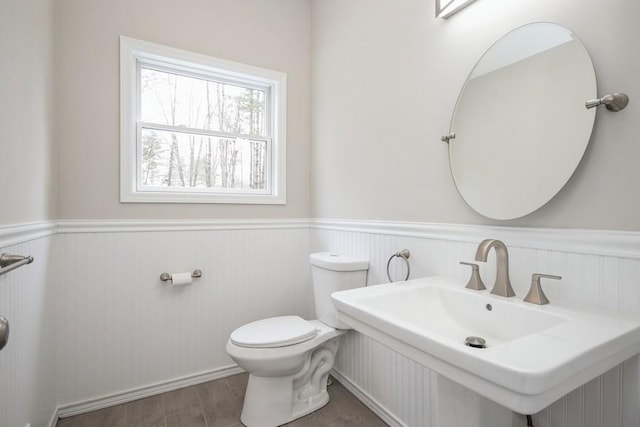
[{"x": 521, "y": 126}]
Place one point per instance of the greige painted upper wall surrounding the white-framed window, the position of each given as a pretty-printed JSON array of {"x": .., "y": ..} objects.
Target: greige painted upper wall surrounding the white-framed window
[{"x": 273, "y": 34}]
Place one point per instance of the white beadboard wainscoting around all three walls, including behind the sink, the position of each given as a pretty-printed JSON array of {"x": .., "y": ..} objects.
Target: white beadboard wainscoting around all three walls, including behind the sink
[{"x": 92, "y": 324}]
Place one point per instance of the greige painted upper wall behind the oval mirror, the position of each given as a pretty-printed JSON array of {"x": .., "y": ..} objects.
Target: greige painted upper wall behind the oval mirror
[{"x": 386, "y": 76}]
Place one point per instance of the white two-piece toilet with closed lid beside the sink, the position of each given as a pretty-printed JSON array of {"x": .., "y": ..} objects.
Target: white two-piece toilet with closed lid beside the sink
[{"x": 289, "y": 358}]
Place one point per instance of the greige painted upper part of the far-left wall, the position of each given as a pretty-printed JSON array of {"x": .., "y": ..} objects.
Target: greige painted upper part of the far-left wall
[{"x": 26, "y": 90}]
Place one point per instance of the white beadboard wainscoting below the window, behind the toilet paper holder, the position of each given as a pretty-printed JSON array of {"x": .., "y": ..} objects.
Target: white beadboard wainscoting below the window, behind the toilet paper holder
[{"x": 123, "y": 329}]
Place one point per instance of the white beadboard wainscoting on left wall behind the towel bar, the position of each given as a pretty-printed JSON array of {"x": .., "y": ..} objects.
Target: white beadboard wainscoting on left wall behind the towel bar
[{"x": 28, "y": 362}]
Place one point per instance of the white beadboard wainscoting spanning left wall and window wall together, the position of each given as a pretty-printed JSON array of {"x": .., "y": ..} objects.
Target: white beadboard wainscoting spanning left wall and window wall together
[{"x": 92, "y": 324}]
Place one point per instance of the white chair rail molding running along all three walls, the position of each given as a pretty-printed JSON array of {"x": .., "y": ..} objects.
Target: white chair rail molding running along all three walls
[{"x": 598, "y": 242}]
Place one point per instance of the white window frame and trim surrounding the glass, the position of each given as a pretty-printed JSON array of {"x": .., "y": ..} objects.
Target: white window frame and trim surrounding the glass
[{"x": 133, "y": 52}]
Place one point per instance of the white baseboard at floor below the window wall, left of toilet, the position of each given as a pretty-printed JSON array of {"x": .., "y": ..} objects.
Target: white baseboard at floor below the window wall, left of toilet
[{"x": 101, "y": 402}]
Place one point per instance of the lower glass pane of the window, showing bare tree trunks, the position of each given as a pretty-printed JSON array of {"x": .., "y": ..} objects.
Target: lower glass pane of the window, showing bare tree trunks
[{"x": 184, "y": 160}]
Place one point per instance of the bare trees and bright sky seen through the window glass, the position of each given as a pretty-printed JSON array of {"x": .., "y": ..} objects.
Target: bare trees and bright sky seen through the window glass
[{"x": 200, "y": 133}]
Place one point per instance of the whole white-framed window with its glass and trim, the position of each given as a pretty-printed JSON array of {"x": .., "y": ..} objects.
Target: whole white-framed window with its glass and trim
[{"x": 198, "y": 129}]
